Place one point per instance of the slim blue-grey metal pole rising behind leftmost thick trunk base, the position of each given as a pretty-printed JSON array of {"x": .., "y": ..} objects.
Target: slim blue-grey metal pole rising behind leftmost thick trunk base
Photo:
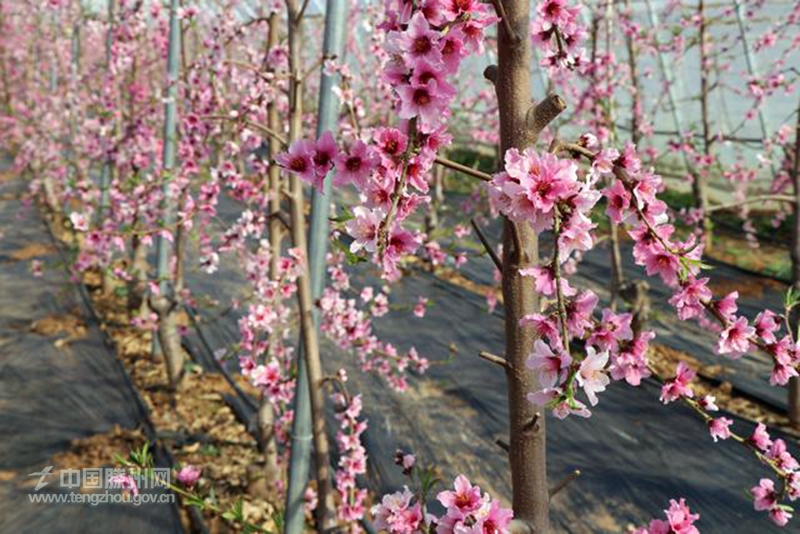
[{"x": 168, "y": 152}]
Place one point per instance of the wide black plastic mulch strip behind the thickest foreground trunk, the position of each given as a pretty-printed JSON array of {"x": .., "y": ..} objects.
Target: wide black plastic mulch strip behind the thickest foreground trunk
[{"x": 634, "y": 453}]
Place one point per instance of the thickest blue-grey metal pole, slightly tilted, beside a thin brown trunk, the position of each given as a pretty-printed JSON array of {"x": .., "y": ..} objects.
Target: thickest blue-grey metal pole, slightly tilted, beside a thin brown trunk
[{"x": 328, "y": 114}]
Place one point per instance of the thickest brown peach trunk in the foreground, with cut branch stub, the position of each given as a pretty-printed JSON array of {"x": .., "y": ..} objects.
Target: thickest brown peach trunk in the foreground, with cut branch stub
[{"x": 527, "y": 437}]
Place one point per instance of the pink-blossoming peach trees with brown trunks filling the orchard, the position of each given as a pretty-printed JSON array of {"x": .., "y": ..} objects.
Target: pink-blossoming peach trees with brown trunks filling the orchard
[{"x": 84, "y": 101}]
